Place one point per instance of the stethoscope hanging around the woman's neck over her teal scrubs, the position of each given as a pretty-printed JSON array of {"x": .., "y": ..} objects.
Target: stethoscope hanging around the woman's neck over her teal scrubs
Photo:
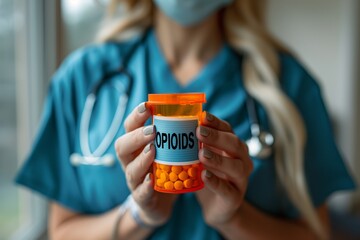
[{"x": 260, "y": 144}]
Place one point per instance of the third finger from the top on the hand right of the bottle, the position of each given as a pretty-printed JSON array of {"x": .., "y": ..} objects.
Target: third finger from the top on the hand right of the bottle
[{"x": 233, "y": 169}]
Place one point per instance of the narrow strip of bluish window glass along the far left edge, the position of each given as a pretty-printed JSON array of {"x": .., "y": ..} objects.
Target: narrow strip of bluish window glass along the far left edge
[{"x": 9, "y": 207}]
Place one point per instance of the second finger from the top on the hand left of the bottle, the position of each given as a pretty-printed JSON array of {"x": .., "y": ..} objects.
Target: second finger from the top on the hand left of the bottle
[{"x": 128, "y": 145}]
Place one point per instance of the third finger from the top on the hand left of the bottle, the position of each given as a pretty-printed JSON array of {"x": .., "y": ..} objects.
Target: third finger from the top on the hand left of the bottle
[{"x": 137, "y": 169}]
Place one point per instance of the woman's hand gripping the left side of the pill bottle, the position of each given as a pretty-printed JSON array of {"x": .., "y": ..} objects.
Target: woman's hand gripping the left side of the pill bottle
[{"x": 136, "y": 152}]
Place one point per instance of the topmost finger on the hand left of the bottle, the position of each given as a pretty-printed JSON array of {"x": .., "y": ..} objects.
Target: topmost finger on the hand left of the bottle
[{"x": 137, "y": 117}]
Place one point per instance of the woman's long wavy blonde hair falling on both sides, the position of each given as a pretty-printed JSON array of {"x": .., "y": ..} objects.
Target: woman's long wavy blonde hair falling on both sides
[{"x": 245, "y": 30}]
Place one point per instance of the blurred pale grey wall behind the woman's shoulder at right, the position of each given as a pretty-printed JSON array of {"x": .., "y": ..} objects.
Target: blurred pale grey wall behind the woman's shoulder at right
[{"x": 324, "y": 35}]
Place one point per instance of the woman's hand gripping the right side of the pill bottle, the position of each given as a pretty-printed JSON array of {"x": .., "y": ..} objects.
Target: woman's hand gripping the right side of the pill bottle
[{"x": 228, "y": 167}]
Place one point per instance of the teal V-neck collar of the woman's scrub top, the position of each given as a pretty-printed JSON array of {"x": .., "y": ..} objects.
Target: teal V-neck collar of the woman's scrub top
[{"x": 167, "y": 81}]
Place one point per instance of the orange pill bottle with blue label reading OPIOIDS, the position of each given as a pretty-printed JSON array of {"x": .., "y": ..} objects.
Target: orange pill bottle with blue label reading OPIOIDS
[{"x": 176, "y": 168}]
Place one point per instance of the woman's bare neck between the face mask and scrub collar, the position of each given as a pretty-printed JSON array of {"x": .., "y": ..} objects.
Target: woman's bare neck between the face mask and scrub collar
[{"x": 196, "y": 43}]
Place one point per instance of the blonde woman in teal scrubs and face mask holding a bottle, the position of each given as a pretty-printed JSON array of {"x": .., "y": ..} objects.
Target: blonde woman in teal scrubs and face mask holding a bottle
[{"x": 222, "y": 48}]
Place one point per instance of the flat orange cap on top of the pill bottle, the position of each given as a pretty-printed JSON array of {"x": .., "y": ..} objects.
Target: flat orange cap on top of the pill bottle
[{"x": 177, "y": 98}]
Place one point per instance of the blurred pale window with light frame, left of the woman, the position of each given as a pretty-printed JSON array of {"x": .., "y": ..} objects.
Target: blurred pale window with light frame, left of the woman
[{"x": 27, "y": 56}]
